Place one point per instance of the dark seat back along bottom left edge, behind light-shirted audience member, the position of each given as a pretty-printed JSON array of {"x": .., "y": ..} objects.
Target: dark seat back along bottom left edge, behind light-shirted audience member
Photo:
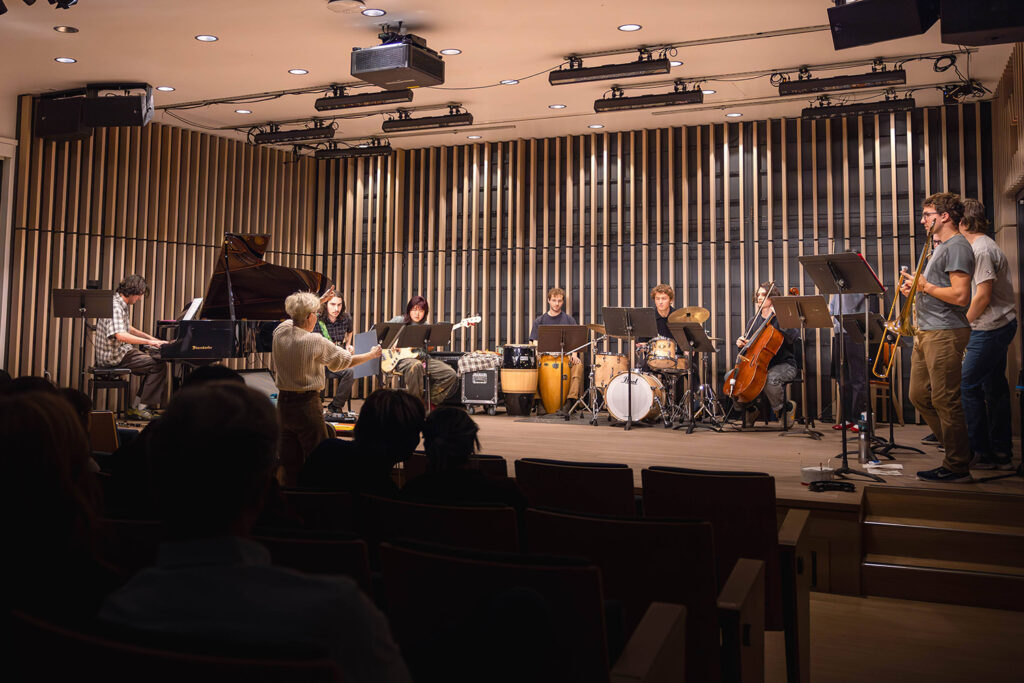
[{"x": 44, "y": 652}]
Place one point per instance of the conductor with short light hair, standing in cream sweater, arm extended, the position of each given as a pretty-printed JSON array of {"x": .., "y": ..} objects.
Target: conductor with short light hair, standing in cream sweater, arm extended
[{"x": 301, "y": 355}]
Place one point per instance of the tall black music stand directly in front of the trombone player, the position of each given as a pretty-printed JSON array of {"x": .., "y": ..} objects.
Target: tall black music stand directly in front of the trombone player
[{"x": 843, "y": 274}]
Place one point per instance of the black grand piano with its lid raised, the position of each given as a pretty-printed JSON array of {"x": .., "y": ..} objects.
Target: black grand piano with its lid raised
[{"x": 244, "y": 303}]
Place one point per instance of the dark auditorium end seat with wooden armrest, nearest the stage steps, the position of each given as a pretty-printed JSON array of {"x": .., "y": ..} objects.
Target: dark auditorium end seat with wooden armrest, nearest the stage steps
[{"x": 741, "y": 506}]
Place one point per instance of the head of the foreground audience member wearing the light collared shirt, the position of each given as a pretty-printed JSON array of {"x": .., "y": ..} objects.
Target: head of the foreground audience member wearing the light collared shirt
[{"x": 215, "y": 454}]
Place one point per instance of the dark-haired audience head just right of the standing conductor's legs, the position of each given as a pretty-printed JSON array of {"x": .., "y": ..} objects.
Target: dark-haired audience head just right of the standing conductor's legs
[{"x": 390, "y": 426}]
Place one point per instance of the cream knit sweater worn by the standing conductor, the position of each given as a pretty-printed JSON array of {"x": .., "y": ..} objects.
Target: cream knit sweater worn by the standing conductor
[{"x": 301, "y": 357}]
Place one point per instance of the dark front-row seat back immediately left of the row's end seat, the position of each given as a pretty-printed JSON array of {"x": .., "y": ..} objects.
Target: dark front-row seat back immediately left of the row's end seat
[{"x": 604, "y": 489}]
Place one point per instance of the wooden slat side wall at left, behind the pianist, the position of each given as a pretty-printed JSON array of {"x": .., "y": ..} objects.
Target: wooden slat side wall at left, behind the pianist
[{"x": 155, "y": 201}]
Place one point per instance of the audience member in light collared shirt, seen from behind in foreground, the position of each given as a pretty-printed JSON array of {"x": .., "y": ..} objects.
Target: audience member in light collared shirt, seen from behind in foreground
[{"x": 215, "y": 455}]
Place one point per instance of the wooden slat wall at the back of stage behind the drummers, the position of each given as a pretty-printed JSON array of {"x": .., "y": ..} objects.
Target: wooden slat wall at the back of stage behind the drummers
[{"x": 711, "y": 210}]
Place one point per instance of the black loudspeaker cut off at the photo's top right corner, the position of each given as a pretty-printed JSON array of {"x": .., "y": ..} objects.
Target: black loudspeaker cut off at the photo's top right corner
[{"x": 983, "y": 22}]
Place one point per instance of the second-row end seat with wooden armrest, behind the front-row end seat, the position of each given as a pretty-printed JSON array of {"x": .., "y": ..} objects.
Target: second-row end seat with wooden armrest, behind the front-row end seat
[{"x": 644, "y": 562}]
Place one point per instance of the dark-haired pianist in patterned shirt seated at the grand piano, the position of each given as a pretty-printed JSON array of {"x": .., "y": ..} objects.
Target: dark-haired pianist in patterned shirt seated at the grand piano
[{"x": 119, "y": 345}]
